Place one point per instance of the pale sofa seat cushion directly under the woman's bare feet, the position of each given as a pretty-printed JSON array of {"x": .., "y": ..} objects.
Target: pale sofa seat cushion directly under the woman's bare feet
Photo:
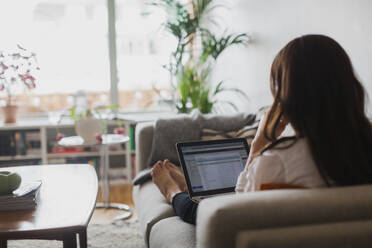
[{"x": 151, "y": 207}]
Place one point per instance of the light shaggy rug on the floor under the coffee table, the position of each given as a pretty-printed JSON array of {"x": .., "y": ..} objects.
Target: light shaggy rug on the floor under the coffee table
[{"x": 123, "y": 234}]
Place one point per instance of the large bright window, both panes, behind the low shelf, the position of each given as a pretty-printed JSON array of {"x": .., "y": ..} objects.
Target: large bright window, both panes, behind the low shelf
[{"x": 70, "y": 39}]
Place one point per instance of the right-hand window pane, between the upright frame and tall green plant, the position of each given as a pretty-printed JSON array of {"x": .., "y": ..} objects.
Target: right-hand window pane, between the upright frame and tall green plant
[{"x": 142, "y": 48}]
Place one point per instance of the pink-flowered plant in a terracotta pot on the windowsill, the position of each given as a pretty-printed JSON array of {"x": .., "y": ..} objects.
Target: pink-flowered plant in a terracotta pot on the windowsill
[{"x": 17, "y": 70}]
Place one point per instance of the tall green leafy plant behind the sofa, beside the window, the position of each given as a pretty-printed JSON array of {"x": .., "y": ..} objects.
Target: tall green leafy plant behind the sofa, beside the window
[{"x": 197, "y": 50}]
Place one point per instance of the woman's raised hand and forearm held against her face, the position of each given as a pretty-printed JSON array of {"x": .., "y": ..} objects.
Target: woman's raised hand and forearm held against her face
[{"x": 260, "y": 141}]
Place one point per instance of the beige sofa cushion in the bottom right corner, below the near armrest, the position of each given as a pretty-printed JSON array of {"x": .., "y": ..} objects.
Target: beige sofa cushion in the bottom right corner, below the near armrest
[{"x": 341, "y": 235}]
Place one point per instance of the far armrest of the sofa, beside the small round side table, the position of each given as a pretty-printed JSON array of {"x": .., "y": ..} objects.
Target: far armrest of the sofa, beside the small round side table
[{"x": 144, "y": 135}]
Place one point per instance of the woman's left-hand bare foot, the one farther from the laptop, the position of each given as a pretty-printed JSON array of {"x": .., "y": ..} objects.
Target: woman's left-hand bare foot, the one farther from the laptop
[{"x": 163, "y": 180}]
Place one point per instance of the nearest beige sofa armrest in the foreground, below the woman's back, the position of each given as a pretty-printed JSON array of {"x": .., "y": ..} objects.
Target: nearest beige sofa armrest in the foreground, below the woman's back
[{"x": 219, "y": 219}]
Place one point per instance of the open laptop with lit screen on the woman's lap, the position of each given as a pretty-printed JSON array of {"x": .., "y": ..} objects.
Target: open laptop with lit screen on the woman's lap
[{"x": 212, "y": 167}]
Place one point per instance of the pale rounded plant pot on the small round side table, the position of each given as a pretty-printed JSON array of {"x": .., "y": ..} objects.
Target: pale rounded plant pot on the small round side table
[{"x": 88, "y": 128}]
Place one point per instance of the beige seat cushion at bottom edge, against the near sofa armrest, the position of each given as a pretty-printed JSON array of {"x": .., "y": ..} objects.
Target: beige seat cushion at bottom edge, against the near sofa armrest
[{"x": 172, "y": 233}]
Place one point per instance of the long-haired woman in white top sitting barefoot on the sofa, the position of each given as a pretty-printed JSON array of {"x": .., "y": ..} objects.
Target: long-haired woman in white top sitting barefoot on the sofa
[{"x": 315, "y": 91}]
